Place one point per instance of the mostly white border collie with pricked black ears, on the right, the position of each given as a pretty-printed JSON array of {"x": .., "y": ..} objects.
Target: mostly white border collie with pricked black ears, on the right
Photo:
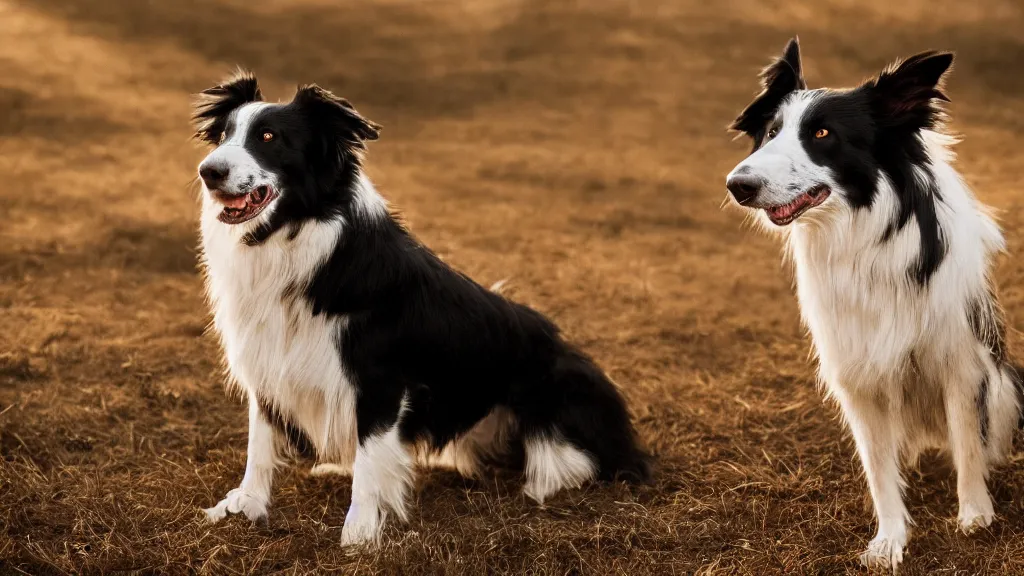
[{"x": 892, "y": 256}]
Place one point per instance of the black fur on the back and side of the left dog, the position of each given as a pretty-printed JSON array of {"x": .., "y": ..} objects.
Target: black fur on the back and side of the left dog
[{"x": 418, "y": 327}]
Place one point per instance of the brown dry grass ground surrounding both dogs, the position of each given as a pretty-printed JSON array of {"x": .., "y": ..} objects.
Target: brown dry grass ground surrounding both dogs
[{"x": 575, "y": 148}]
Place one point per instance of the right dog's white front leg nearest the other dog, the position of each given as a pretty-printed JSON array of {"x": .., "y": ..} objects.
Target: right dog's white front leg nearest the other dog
[{"x": 877, "y": 434}]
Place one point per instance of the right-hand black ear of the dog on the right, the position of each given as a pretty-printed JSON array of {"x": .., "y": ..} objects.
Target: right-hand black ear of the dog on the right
[{"x": 907, "y": 94}]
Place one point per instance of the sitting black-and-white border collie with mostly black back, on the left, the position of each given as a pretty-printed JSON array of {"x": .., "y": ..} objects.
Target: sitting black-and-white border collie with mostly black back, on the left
[{"x": 359, "y": 345}]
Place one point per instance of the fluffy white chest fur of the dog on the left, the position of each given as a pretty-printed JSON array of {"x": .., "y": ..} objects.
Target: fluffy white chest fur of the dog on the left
[{"x": 275, "y": 347}]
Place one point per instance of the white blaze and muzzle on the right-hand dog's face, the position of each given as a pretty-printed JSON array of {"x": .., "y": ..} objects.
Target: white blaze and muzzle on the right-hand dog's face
[{"x": 782, "y": 166}]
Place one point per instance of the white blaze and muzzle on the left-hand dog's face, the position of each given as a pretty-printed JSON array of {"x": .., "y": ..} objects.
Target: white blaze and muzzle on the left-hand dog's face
[{"x": 244, "y": 173}]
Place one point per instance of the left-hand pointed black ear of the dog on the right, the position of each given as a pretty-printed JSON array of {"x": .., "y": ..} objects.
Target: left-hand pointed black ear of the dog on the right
[{"x": 779, "y": 80}]
